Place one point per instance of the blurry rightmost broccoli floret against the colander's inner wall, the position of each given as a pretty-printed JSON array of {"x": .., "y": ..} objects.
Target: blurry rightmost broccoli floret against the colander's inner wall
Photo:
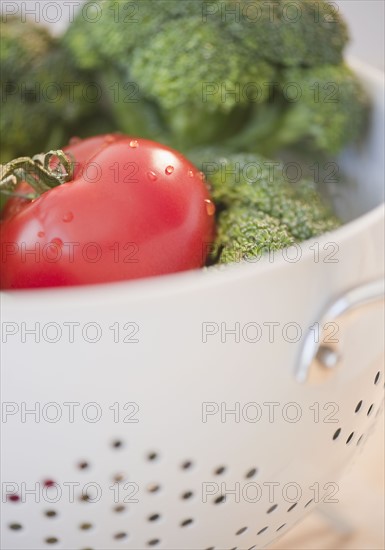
[{"x": 321, "y": 109}]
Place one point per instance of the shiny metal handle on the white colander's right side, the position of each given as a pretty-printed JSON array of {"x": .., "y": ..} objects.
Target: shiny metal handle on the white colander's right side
[{"x": 357, "y": 297}]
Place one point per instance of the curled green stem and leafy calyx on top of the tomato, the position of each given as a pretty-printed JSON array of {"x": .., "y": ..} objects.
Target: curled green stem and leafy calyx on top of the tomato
[{"x": 36, "y": 171}]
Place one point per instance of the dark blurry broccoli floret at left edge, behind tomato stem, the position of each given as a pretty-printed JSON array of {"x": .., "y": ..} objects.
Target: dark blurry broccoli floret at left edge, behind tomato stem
[{"x": 41, "y": 91}]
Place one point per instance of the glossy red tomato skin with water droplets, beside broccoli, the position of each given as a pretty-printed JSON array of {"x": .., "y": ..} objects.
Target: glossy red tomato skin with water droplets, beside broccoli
[{"x": 134, "y": 209}]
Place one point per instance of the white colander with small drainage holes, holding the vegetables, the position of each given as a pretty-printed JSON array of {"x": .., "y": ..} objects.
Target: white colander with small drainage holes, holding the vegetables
[{"x": 162, "y": 420}]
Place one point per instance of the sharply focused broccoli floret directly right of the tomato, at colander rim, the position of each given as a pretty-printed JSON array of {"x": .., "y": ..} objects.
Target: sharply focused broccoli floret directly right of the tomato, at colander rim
[{"x": 254, "y": 197}]
